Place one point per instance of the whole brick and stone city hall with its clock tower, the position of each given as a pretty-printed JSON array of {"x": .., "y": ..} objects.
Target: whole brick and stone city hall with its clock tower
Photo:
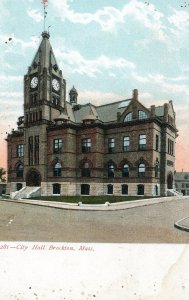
[{"x": 63, "y": 147}]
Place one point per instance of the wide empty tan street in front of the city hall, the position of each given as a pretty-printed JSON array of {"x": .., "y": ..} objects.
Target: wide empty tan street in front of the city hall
[{"x": 146, "y": 224}]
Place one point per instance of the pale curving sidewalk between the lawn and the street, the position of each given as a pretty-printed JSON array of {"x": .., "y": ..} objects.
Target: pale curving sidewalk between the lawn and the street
[{"x": 97, "y": 207}]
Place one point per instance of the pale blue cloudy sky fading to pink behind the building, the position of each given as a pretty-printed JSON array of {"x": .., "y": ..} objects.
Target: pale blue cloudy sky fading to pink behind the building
[{"x": 105, "y": 48}]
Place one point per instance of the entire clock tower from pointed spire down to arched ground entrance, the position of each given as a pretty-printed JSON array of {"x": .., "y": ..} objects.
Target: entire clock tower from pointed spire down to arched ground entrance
[{"x": 44, "y": 101}]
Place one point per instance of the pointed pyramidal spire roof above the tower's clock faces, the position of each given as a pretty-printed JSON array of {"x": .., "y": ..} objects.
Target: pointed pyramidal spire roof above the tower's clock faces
[{"x": 44, "y": 57}]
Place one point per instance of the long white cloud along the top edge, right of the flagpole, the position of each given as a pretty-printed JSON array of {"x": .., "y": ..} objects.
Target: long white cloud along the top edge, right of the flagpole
[{"x": 109, "y": 17}]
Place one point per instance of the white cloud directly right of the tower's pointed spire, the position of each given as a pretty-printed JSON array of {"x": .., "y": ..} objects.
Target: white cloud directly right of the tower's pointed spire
[{"x": 76, "y": 63}]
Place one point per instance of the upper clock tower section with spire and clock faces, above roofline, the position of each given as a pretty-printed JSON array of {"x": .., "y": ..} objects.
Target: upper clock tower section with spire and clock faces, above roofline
[{"x": 44, "y": 86}]
